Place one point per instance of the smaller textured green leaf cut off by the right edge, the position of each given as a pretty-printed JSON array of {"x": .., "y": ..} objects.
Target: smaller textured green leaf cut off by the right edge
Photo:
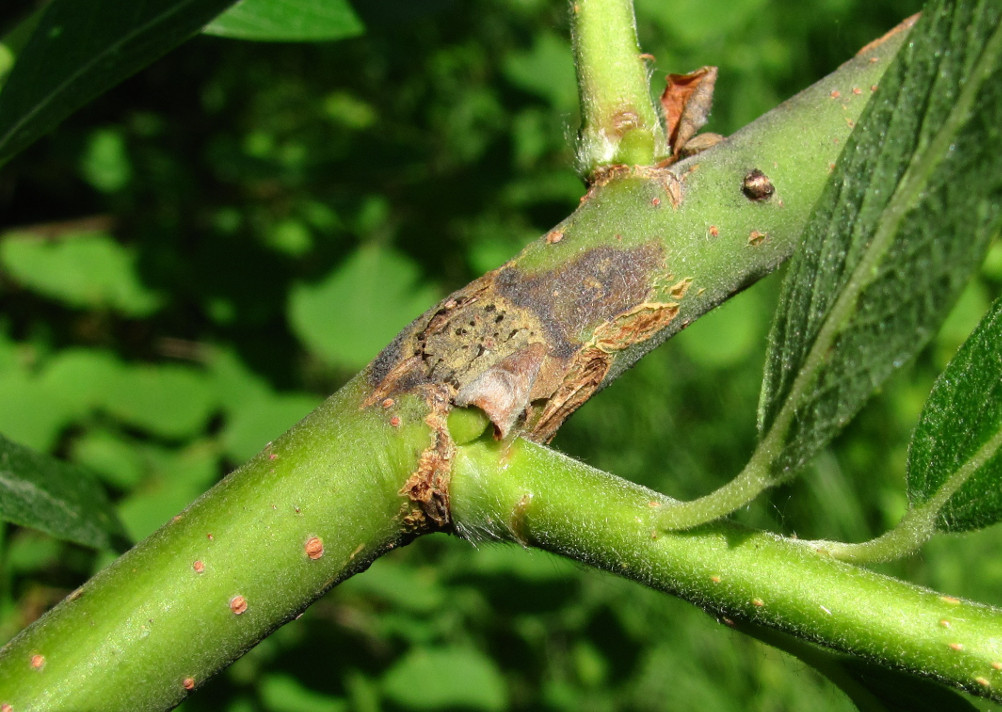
[{"x": 957, "y": 446}]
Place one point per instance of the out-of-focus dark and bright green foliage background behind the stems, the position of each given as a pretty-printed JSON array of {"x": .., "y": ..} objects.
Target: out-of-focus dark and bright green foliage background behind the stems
[{"x": 195, "y": 261}]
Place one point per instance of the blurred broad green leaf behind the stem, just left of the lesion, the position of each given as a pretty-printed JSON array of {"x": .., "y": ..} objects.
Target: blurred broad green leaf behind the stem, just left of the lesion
[{"x": 360, "y": 307}]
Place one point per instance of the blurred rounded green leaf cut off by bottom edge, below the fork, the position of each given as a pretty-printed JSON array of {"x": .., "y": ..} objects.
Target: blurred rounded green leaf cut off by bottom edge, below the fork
[{"x": 446, "y": 678}]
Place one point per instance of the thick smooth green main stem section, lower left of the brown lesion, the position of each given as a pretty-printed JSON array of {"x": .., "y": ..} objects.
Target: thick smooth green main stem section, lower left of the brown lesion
[{"x": 316, "y": 507}]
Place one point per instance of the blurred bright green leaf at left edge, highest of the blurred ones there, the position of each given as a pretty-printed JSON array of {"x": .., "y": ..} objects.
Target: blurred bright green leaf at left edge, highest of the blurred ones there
[{"x": 88, "y": 271}]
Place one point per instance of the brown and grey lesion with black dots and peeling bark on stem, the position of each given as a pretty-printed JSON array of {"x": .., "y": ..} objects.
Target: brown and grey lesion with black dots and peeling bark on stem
[{"x": 530, "y": 349}]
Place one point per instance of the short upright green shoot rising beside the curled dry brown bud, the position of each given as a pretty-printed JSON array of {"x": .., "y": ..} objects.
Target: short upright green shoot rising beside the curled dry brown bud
[{"x": 620, "y": 124}]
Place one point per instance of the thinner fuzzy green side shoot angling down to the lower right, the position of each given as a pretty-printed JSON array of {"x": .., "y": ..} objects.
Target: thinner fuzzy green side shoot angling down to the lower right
[{"x": 529, "y": 494}]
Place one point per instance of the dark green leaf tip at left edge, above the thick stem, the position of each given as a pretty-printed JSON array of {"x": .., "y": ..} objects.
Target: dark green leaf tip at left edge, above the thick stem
[{"x": 63, "y": 500}]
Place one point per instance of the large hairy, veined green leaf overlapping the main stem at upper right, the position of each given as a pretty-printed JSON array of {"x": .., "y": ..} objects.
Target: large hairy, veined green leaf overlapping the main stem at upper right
[{"x": 906, "y": 219}]
